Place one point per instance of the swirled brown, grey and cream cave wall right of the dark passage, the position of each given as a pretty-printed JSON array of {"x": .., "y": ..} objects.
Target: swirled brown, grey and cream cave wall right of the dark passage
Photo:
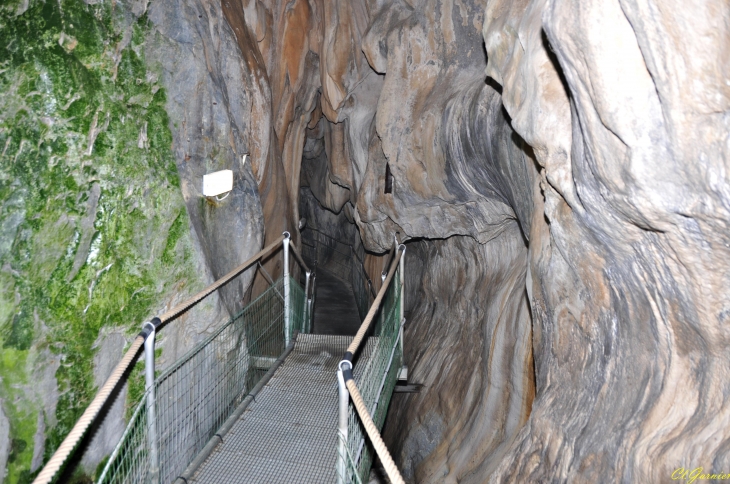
[{"x": 588, "y": 148}]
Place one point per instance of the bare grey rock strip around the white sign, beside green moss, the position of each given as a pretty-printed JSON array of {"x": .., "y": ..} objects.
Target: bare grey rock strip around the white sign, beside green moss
[{"x": 215, "y": 103}]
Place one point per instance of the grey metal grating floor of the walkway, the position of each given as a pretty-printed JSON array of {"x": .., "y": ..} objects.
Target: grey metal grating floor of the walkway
[{"x": 289, "y": 433}]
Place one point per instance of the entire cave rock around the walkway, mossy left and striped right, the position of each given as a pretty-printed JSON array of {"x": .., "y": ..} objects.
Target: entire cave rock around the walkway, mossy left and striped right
[{"x": 558, "y": 170}]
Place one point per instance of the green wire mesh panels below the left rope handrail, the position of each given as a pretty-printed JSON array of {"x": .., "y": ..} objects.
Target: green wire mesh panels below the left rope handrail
[{"x": 201, "y": 390}]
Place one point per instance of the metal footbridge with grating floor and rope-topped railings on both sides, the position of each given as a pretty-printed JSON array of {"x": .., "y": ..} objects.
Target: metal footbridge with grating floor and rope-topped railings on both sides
[{"x": 289, "y": 390}]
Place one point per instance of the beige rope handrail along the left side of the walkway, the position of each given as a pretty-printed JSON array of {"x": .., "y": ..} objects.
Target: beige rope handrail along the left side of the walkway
[{"x": 69, "y": 444}]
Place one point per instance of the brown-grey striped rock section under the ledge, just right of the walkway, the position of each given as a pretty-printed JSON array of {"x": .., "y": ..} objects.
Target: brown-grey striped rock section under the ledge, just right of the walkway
[{"x": 468, "y": 342}]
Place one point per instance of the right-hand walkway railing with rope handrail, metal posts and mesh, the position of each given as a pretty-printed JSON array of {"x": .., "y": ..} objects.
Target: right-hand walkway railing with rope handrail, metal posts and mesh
[{"x": 362, "y": 410}]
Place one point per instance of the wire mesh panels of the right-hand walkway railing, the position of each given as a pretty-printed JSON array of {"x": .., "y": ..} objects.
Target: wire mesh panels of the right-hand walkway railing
[{"x": 376, "y": 383}]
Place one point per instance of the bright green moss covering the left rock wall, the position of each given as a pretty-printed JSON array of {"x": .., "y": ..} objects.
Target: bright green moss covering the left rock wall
[{"x": 62, "y": 80}]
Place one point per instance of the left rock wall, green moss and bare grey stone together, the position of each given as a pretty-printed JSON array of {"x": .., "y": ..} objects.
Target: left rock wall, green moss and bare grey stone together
[{"x": 110, "y": 115}]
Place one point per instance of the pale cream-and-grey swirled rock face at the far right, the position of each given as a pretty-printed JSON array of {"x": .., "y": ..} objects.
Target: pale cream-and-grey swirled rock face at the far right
[{"x": 626, "y": 104}]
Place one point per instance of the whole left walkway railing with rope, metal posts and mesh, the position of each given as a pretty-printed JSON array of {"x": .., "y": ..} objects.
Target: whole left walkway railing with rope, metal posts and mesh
[{"x": 183, "y": 408}]
